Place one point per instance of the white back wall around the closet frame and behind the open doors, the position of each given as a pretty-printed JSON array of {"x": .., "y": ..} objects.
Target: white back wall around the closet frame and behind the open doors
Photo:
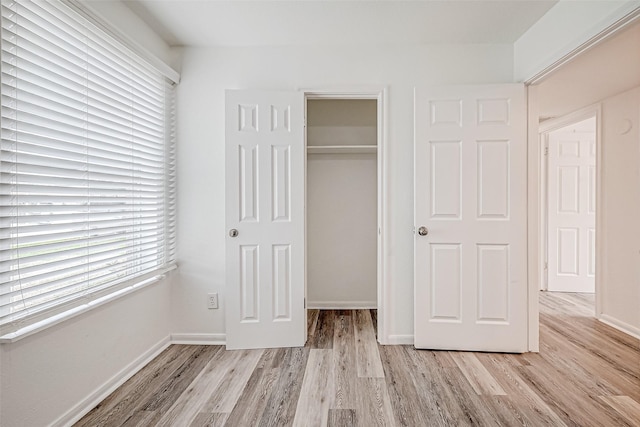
[{"x": 207, "y": 72}]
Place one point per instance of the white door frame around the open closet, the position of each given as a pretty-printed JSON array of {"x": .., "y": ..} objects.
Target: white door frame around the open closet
[{"x": 378, "y": 93}]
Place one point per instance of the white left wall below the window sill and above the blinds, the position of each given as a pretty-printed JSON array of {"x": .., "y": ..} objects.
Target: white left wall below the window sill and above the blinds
[{"x": 45, "y": 376}]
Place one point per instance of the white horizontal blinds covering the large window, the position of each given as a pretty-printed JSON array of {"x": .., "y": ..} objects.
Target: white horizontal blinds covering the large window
[{"x": 87, "y": 178}]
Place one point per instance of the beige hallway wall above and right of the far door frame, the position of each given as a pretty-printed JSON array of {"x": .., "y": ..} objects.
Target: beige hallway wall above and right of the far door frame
[{"x": 609, "y": 75}]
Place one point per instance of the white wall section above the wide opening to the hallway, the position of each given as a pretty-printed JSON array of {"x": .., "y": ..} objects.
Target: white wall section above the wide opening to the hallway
[{"x": 563, "y": 29}]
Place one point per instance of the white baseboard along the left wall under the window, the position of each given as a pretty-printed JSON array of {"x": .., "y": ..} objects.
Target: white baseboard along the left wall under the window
[{"x": 84, "y": 406}]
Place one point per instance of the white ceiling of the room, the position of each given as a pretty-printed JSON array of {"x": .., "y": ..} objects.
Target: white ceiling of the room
[{"x": 331, "y": 22}]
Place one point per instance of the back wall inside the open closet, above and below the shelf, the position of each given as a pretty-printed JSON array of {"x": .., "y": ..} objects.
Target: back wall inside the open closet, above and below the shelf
[{"x": 342, "y": 206}]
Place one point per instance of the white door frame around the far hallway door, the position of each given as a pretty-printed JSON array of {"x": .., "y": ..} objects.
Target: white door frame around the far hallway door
[{"x": 545, "y": 128}]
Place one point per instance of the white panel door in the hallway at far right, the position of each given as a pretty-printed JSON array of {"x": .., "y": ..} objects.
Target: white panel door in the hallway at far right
[{"x": 572, "y": 207}]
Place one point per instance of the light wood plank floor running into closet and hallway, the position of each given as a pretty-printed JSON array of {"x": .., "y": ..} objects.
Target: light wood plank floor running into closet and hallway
[{"x": 586, "y": 374}]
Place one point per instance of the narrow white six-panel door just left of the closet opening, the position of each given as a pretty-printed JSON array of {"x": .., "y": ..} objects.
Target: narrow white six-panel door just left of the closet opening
[{"x": 265, "y": 219}]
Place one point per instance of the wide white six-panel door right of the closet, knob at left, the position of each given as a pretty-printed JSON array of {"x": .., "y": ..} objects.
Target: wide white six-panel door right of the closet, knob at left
[{"x": 471, "y": 197}]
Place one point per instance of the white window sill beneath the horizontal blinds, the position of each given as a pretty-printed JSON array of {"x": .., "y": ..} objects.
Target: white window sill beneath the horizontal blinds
[{"x": 34, "y": 328}]
